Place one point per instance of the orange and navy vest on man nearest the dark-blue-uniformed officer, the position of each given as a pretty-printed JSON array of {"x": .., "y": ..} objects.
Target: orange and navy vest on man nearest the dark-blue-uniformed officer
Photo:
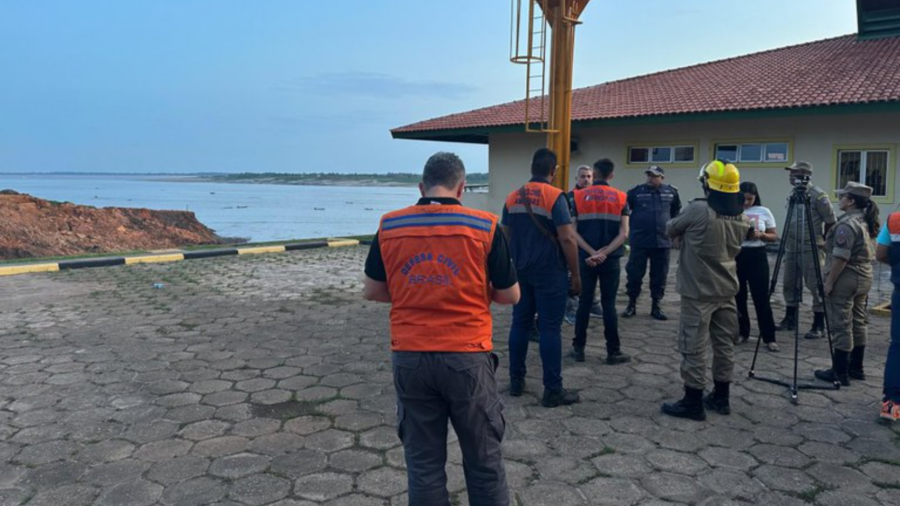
[{"x": 599, "y": 214}]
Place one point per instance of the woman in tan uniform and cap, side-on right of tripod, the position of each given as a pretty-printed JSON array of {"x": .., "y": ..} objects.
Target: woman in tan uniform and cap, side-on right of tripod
[{"x": 848, "y": 278}]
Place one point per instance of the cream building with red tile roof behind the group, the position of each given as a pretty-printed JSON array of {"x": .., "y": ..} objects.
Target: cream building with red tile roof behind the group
[{"x": 834, "y": 103}]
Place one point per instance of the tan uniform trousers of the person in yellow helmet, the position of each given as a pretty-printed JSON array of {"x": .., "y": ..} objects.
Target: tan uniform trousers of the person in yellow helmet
[{"x": 704, "y": 324}]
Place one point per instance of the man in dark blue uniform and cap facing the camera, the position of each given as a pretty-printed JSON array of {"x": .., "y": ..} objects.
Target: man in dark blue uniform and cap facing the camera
[{"x": 652, "y": 205}]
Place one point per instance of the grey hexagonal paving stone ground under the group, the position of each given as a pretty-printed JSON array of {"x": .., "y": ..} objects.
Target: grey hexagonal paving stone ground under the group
[{"x": 265, "y": 380}]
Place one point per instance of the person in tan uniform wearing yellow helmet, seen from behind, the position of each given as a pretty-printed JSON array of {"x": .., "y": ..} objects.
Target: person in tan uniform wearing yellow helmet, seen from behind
[{"x": 710, "y": 231}]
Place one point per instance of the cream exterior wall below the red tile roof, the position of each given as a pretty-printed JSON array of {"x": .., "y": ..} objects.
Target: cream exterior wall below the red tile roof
[{"x": 813, "y": 138}]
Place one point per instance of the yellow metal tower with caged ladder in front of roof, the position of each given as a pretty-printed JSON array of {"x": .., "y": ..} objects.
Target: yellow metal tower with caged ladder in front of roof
[{"x": 549, "y": 113}]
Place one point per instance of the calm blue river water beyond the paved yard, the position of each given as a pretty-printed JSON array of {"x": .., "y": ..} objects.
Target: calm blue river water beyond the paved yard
[{"x": 253, "y": 211}]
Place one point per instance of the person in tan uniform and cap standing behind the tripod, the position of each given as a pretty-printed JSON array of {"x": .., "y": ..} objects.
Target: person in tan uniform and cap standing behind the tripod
[{"x": 822, "y": 218}]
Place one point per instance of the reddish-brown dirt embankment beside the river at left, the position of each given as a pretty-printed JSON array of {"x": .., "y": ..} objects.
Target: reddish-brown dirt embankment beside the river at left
[{"x": 32, "y": 227}]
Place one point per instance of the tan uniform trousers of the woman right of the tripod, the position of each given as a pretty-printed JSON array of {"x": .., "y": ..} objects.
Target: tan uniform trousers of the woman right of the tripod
[{"x": 847, "y": 310}]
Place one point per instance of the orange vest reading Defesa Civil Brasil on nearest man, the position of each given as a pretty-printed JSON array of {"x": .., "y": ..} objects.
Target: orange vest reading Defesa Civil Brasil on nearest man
[{"x": 435, "y": 257}]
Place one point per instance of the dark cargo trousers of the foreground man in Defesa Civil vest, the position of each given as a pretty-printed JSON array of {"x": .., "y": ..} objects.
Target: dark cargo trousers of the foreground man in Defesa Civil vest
[{"x": 432, "y": 389}]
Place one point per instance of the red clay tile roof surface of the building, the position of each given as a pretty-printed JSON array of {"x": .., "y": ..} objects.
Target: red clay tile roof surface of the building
[{"x": 842, "y": 70}]
